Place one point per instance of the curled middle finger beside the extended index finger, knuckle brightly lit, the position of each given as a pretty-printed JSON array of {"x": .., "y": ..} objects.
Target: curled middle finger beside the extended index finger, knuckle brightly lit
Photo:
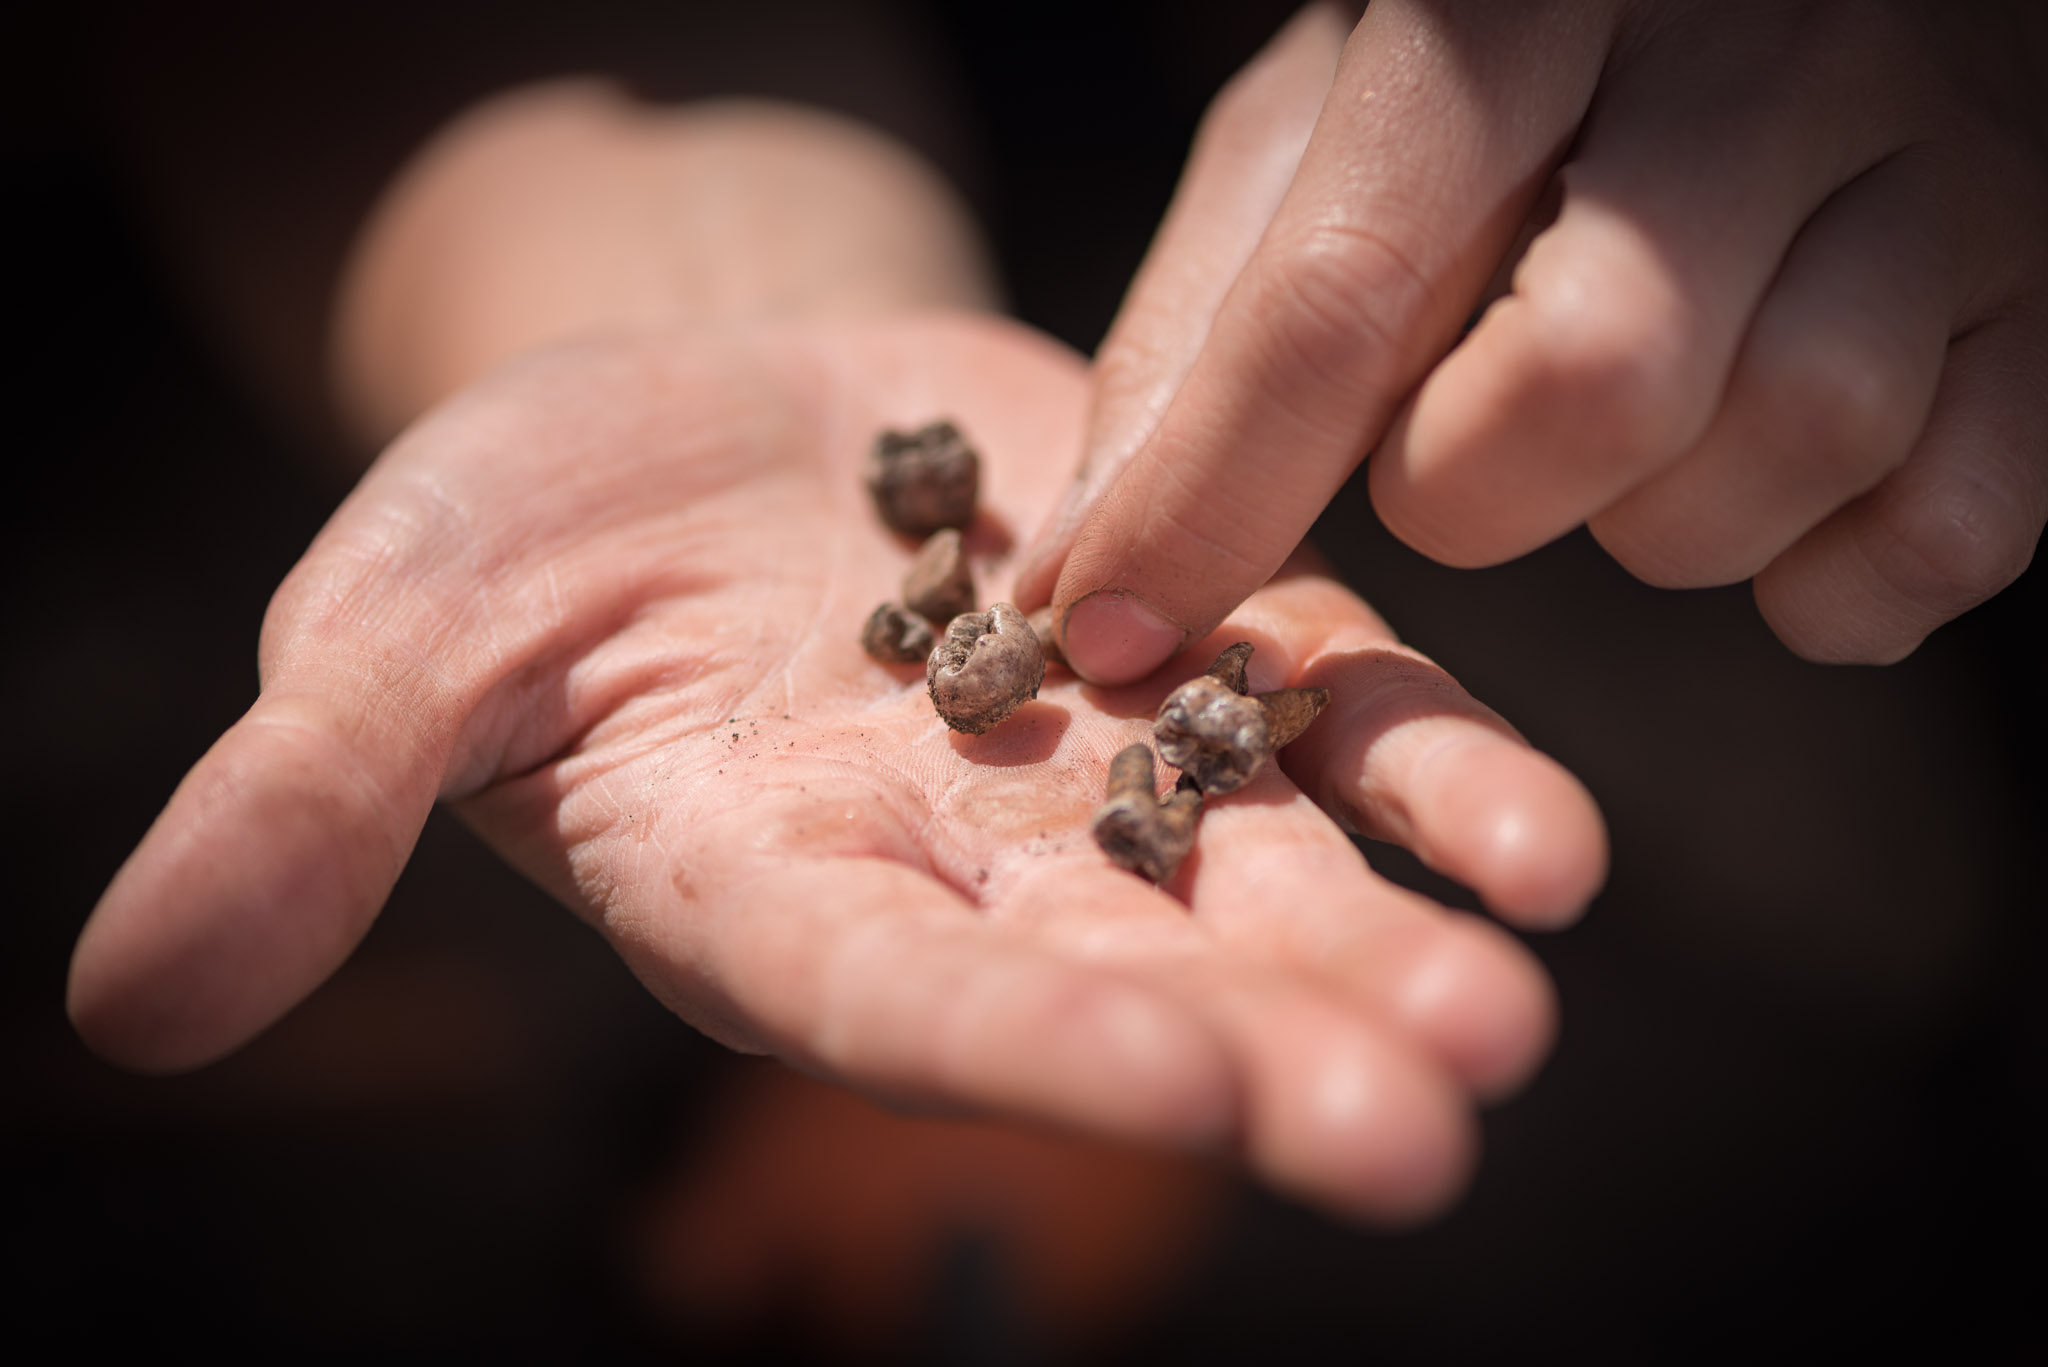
[{"x": 1613, "y": 354}]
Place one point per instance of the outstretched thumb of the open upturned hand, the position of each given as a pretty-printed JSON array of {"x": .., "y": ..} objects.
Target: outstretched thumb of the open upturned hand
[{"x": 263, "y": 874}]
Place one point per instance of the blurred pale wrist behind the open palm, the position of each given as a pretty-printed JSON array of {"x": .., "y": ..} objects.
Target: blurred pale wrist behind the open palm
[{"x": 566, "y": 210}]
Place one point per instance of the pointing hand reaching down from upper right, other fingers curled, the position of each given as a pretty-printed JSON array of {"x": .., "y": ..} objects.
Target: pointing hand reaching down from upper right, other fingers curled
[{"x": 1783, "y": 315}]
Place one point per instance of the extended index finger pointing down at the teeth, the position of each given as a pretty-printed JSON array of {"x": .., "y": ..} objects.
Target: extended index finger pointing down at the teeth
[{"x": 1439, "y": 134}]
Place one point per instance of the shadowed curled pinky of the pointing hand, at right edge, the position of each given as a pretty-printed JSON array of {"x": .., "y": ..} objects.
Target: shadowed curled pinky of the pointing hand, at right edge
[{"x": 1945, "y": 532}]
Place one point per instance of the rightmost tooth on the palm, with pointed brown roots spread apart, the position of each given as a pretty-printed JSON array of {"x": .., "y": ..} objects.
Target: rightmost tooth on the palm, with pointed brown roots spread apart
[{"x": 1220, "y": 737}]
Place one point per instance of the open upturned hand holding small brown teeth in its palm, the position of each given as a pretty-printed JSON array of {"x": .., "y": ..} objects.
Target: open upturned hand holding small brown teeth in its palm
[{"x": 607, "y": 606}]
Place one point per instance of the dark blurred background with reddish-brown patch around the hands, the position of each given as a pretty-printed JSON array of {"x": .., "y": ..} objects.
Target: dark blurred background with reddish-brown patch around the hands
[{"x": 1799, "y": 1095}]
